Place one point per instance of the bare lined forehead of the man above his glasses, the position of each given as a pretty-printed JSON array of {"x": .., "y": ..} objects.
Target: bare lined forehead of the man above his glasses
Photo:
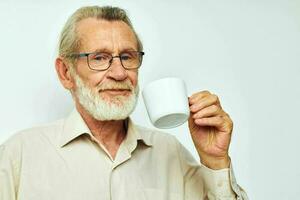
[{"x": 97, "y": 34}]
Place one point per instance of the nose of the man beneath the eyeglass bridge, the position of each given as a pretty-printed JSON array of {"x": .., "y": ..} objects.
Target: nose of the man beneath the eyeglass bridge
[{"x": 116, "y": 71}]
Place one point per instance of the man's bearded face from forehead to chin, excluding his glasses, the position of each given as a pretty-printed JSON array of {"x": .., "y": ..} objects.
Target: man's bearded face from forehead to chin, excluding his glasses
[{"x": 109, "y": 94}]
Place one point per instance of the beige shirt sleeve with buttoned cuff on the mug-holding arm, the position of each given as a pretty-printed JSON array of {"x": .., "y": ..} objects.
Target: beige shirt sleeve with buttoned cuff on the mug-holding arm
[{"x": 201, "y": 182}]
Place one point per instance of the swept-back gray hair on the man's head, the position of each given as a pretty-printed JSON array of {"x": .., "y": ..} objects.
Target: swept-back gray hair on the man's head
[{"x": 69, "y": 41}]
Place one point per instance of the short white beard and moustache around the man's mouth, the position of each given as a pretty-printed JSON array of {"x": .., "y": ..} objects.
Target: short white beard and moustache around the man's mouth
[{"x": 118, "y": 107}]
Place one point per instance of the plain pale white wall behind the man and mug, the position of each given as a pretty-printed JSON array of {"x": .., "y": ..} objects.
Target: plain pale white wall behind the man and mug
[{"x": 245, "y": 51}]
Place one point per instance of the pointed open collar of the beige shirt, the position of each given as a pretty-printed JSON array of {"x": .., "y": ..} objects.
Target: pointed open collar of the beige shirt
[{"x": 75, "y": 126}]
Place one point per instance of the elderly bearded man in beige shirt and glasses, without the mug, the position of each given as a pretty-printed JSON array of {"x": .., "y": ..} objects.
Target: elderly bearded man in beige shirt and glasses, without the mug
[{"x": 97, "y": 152}]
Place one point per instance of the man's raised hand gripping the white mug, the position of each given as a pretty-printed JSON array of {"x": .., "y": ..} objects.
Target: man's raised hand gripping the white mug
[{"x": 210, "y": 127}]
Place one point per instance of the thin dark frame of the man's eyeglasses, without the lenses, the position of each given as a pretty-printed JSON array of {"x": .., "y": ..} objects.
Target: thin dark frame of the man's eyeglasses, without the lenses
[{"x": 84, "y": 54}]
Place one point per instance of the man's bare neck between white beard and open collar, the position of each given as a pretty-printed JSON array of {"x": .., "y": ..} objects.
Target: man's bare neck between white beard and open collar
[{"x": 109, "y": 133}]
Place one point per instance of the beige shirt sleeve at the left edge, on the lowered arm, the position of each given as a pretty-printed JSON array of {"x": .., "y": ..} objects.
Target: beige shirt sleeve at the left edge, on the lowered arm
[{"x": 7, "y": 175}]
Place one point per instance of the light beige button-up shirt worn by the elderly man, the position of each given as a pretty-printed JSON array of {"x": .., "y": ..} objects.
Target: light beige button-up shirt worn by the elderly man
[{"x": 63, "y": 161}]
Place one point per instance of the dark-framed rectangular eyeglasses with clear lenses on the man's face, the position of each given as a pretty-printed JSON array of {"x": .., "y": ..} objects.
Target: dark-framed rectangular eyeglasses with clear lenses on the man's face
[{"x": 100, "y": 61}]
